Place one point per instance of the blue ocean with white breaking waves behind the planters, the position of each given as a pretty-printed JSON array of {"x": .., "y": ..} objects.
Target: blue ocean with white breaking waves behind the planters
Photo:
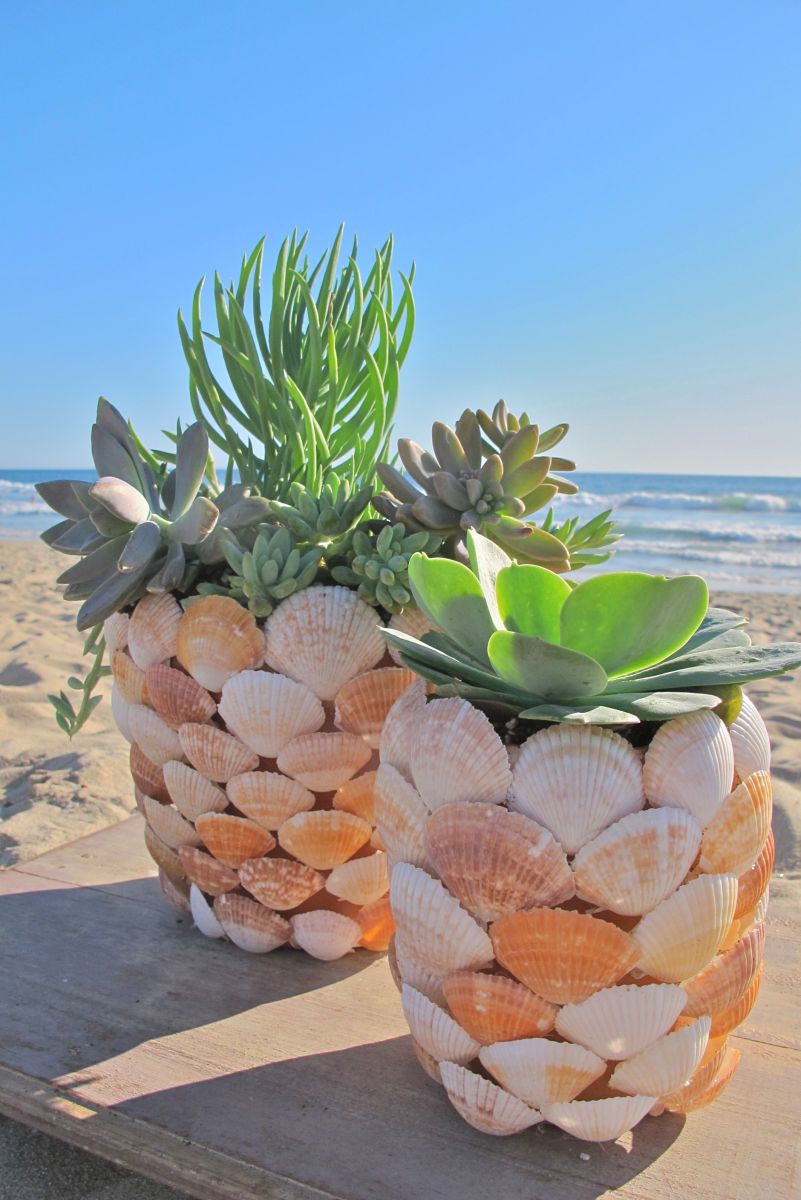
[{"x": 742, "y": 533}]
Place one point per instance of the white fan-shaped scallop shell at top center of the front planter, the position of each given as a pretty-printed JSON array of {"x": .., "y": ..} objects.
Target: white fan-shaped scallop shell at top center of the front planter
[{"x": 576, "y": 781}]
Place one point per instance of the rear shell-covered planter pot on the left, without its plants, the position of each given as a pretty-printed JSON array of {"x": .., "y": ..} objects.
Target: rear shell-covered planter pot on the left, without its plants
[{"x": 254, "y": 754}]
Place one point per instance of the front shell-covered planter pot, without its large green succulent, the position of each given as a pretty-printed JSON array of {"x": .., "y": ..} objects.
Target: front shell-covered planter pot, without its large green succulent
[{"x": 580, "y": 923}]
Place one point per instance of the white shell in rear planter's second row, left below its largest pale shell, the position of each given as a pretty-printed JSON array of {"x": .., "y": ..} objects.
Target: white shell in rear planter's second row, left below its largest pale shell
[{"x": 268, "y": 711}]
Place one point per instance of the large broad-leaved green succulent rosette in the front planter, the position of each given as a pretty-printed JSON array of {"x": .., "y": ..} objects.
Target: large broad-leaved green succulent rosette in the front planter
[{"x": 616, "y": 650}]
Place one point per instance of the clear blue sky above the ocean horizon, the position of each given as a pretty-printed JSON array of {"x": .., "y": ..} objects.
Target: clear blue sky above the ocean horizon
[{"x": 604, "y": 202}]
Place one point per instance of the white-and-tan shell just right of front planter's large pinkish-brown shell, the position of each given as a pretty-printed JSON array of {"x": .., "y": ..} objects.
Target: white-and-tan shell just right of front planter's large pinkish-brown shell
[{"x": 637, "y": 862}]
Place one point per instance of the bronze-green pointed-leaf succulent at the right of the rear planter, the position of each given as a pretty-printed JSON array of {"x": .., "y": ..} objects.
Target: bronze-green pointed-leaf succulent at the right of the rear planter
[{"x": 490, "y": 475}]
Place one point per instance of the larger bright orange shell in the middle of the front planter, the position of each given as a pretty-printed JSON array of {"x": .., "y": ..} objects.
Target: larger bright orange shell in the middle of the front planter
[{"x": 563, "y": 957}]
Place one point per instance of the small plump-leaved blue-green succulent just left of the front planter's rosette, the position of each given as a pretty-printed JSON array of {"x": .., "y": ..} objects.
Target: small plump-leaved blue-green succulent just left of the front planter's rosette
[{"x": 378, "y": 563}]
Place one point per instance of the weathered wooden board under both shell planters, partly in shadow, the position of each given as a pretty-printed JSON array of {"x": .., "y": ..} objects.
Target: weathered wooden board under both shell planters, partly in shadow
[{"x": 231, "y": 1076}]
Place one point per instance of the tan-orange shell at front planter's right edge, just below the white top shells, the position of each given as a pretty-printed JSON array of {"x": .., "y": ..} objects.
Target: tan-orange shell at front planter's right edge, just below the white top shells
[{"x": 737, "y": 835}]
